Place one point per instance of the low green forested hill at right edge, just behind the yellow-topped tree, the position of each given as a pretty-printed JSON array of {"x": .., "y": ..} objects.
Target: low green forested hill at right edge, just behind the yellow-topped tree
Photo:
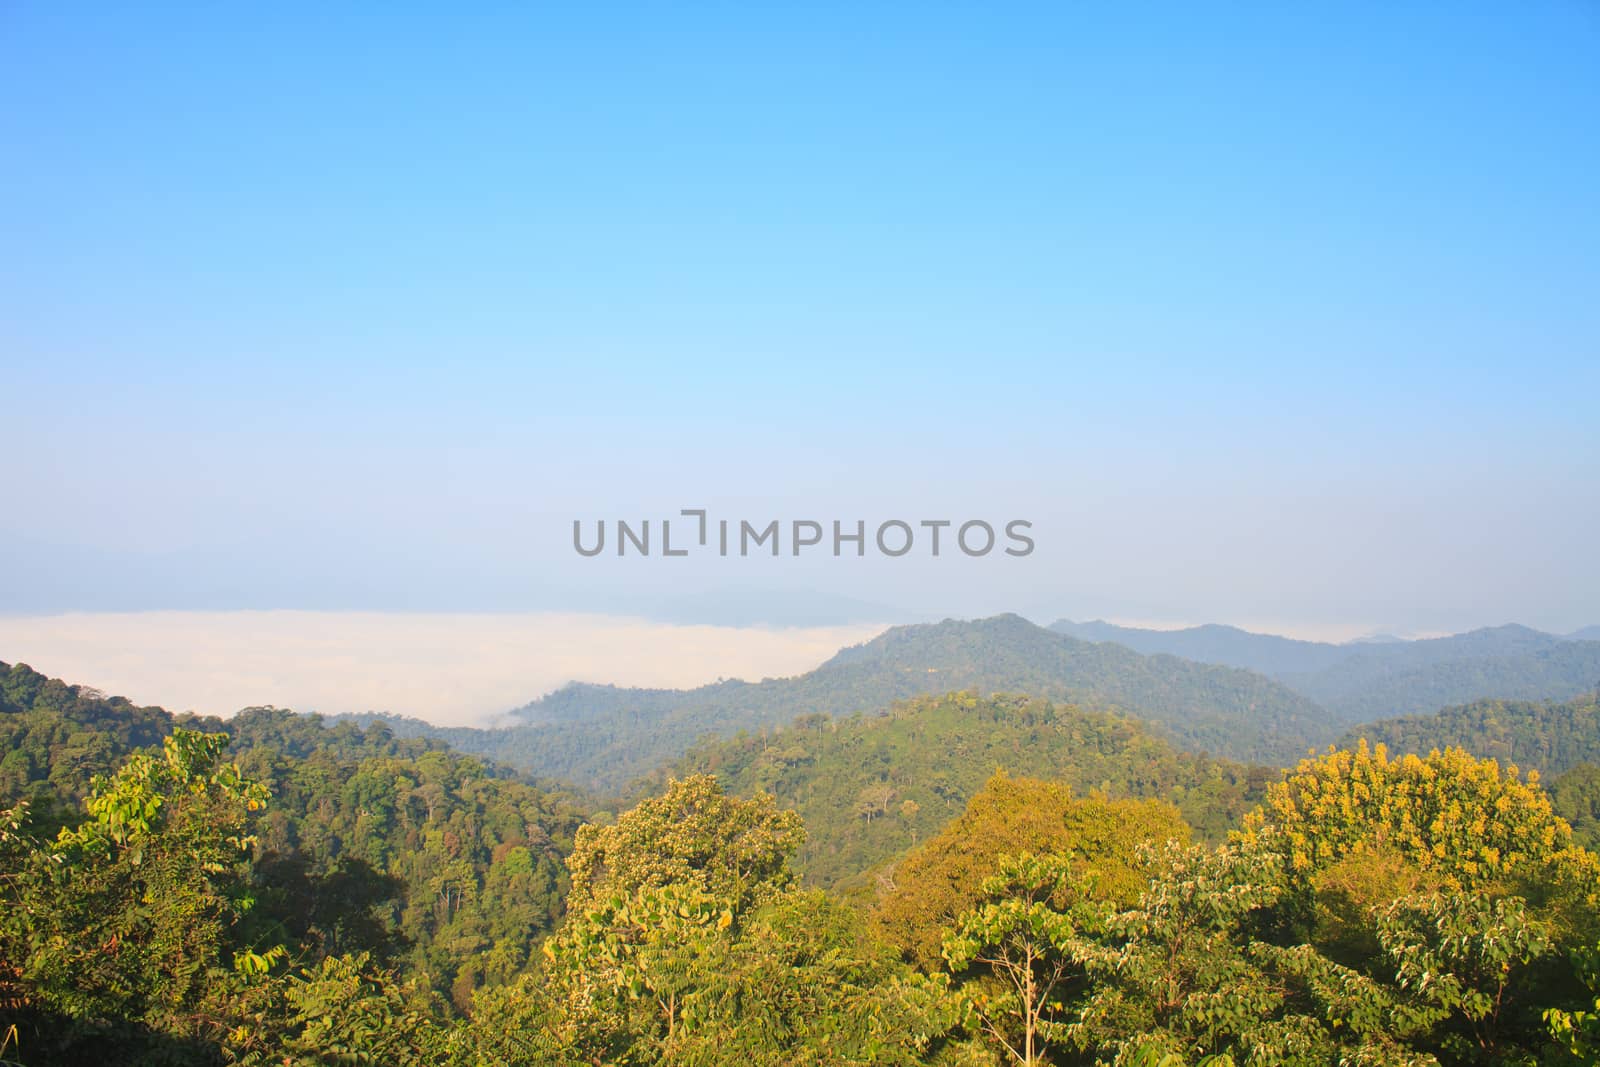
[{"x": 1534, "y": 735}]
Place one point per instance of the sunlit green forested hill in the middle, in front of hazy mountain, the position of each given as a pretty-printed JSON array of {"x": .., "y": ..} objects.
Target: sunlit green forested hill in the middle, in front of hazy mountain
[{"x": 873, "y": 786}]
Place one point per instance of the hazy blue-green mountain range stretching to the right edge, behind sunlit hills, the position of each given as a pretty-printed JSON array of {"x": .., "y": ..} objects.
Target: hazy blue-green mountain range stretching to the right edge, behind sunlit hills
[{"x": 1212, "y": 689}]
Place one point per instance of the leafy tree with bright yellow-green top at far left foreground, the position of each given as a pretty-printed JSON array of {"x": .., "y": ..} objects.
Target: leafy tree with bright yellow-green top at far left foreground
[{"x": 129, "y": 917}]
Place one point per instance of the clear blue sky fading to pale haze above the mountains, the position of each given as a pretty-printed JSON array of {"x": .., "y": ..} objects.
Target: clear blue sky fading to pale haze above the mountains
[{"x": 1271, "y": 314}]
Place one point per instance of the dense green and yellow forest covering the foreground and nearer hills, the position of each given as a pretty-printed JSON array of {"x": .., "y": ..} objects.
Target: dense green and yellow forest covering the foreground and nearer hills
[{"x": 281, "y": 890}]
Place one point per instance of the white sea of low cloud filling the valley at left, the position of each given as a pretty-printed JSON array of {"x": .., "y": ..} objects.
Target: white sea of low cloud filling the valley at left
[{"x": 450, "y": 669}]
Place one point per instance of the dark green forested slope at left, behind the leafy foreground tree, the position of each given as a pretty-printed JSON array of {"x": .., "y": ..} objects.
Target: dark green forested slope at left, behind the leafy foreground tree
[{"x": 369, "y": 844}]
